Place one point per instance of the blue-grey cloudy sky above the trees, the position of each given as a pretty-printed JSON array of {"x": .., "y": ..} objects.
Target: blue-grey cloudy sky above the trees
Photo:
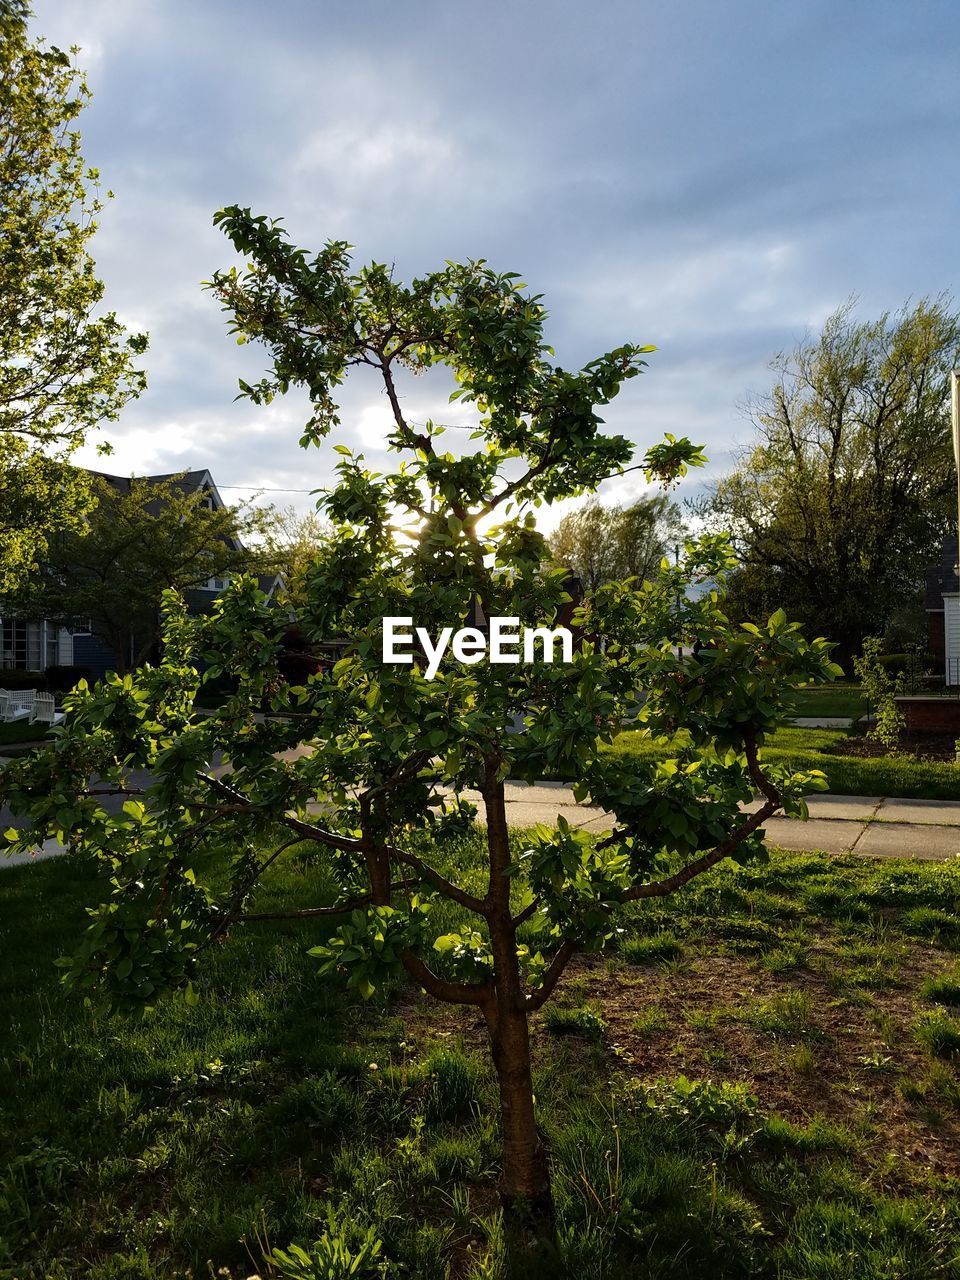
[{"x": 714, "y": 179}]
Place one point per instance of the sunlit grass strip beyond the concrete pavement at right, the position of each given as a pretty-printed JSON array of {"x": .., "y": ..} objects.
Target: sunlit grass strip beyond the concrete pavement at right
[{"x": 847, "y": 775}]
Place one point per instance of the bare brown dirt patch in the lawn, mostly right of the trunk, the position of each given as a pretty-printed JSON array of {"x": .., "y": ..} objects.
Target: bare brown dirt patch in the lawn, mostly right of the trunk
[{"x": 848, "y": 1060}]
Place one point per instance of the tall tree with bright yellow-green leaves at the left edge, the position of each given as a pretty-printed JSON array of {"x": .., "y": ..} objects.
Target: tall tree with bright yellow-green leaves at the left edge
[{"x": 63, "y": 368}]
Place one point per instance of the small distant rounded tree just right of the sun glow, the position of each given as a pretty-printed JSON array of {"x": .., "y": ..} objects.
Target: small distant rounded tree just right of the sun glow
[{"x": 604, "y": 543}]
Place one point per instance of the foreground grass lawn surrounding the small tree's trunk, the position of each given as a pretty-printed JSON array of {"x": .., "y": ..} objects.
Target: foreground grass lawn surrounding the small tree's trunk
[{"x": 758, "y": 1082}]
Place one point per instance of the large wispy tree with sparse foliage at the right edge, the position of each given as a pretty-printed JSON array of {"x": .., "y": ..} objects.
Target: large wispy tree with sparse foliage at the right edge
[{"x": 849, "y": 488}]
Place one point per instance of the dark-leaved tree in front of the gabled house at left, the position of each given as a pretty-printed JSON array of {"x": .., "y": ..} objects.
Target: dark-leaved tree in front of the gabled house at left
[{"x": 136, "y": 542}]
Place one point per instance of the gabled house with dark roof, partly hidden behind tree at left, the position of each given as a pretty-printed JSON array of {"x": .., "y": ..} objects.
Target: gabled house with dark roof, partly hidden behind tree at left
[{"x": 33, "y": 644}]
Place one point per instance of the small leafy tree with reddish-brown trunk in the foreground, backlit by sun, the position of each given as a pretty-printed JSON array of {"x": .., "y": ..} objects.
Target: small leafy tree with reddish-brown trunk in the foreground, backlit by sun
[{"x": 390, "y": 755}]
